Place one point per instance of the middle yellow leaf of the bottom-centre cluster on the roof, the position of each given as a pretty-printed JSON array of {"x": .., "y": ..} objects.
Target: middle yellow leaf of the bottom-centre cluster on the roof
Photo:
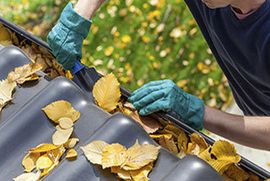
[{"x": 113, "y": 155}]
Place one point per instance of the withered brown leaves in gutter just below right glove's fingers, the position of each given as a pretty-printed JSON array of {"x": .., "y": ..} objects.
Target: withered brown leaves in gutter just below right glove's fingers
[{"x": 150, "y": 125}]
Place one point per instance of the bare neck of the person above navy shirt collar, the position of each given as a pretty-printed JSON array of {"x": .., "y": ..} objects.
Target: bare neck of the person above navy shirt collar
[{"x": 245, "y": 6}]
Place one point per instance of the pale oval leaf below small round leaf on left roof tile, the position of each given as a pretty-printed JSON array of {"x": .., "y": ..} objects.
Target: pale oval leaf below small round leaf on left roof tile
[{"x": 61, "y": 136}]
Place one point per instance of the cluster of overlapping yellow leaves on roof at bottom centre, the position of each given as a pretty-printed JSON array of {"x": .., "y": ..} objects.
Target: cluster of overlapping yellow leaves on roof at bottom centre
[{"x": 134, "y": 163}]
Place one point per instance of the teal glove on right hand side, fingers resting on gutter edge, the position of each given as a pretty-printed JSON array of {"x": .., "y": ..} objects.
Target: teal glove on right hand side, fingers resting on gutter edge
[{"x": 164, "y": 95}]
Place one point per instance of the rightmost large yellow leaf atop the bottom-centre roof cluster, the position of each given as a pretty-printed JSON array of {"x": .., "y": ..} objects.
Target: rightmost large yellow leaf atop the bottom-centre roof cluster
[{"x": 139, "y": 156}]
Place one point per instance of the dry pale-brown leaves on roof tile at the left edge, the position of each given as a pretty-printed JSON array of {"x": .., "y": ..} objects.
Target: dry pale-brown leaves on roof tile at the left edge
[{"x": 20, "y": 75}]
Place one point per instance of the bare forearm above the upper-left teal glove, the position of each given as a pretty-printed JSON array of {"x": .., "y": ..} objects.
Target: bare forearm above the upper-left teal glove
[{"x": 87, "y": 8}]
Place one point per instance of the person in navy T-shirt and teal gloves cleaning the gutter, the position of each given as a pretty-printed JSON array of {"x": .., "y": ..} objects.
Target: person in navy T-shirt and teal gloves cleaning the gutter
[{"x": 238, "y": 34}]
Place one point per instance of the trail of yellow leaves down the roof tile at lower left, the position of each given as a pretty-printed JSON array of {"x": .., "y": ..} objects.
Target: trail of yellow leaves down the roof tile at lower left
[{"x": 41, "y": 160}]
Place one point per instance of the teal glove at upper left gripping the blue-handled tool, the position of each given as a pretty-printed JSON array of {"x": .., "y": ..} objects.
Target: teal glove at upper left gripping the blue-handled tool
[{"x": 66, "y": 37}]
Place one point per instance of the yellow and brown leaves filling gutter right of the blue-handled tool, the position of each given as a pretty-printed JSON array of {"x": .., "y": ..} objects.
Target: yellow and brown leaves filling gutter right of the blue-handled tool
[{"x": 221, "y": 155}]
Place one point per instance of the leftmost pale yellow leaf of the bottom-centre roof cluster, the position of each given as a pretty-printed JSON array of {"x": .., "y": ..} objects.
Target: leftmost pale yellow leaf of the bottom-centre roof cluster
[{"x": 93, "y": 151}]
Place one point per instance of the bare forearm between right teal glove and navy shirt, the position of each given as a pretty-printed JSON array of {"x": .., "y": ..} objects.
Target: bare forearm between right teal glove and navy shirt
[{"x": 249, "y": 131}]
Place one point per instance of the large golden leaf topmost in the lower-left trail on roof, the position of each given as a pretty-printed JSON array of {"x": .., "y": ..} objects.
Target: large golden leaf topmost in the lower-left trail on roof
[{"x": 60, "y": 109}]
